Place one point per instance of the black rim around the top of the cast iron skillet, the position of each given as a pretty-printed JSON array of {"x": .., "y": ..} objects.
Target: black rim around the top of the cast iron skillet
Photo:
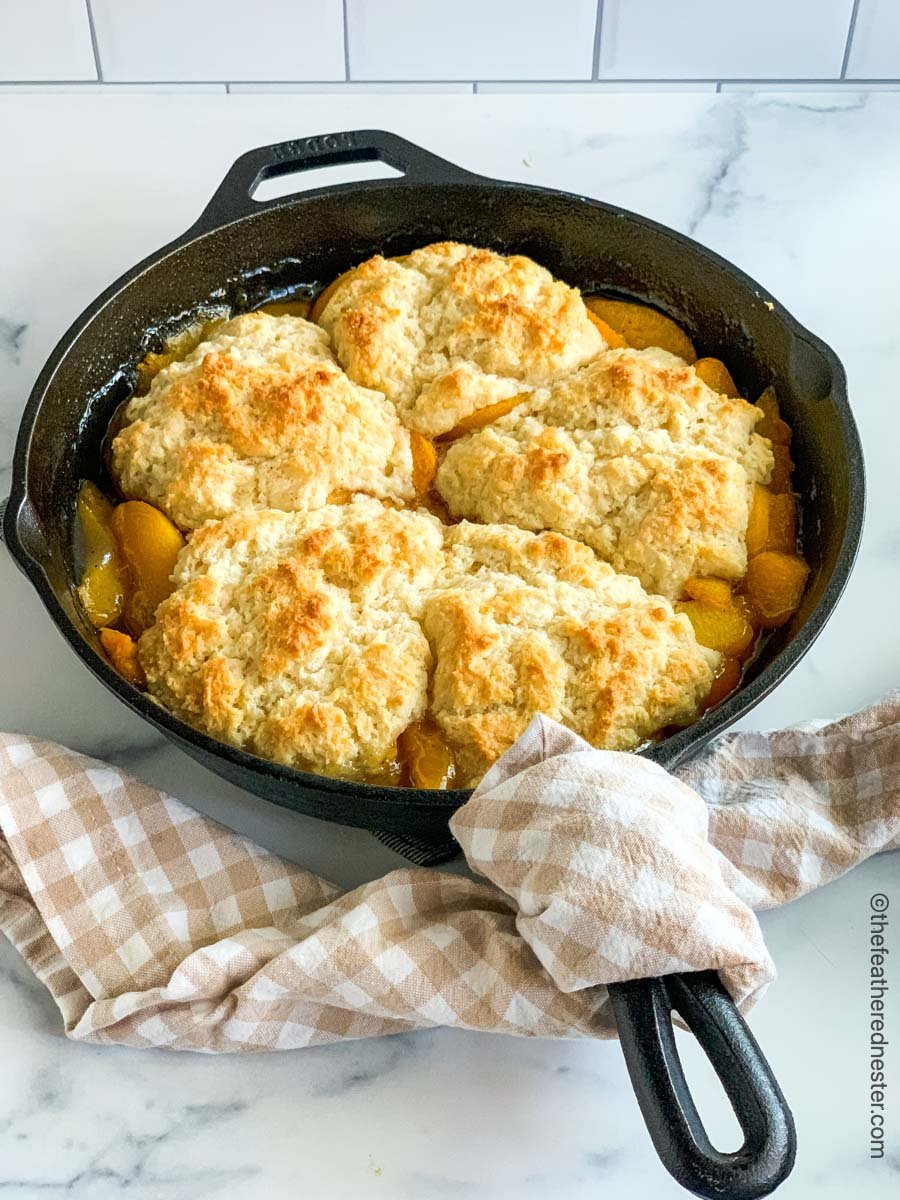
[{"x": 669, "y": 753}]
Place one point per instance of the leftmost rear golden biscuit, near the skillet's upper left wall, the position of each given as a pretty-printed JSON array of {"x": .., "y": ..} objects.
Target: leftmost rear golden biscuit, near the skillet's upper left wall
[{"x": 257, "y": 417}]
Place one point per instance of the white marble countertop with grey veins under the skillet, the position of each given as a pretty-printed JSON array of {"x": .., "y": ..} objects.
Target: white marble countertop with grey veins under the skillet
[{"x": 803, "y": 193}]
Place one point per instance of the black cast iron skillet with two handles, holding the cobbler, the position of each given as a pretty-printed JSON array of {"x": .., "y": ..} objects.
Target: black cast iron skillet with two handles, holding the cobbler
[{"x": 242, "y": 253}]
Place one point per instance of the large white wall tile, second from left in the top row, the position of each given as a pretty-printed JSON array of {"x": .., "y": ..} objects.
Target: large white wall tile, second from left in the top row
[{"x": 227, "y": 40}]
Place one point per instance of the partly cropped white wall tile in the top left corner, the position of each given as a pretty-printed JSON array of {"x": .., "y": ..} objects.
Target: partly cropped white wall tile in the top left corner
[{"x": 46, "y": 40}]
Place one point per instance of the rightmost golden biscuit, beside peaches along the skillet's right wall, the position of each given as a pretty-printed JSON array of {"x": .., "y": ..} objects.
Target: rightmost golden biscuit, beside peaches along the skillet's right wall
[{"x": 634, "y": 455}]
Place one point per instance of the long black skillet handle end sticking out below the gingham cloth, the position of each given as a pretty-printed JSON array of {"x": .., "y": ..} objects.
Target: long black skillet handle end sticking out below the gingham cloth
[{"x": 644, "y": 1015}]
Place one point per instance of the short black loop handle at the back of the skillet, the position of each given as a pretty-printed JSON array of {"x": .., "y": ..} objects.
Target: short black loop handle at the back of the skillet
[{"x": 233, "y": 197}]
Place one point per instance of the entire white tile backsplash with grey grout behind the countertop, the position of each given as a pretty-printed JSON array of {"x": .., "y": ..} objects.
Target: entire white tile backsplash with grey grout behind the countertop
[{"x": 386, "y": 47}]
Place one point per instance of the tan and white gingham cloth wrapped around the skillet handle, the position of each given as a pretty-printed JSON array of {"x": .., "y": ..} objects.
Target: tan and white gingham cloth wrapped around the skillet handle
[{"x": 154, "y": 927}]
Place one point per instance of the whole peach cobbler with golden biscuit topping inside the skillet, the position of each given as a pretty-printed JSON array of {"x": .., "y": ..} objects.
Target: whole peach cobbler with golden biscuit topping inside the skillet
[{"x": 373, "y": 536}]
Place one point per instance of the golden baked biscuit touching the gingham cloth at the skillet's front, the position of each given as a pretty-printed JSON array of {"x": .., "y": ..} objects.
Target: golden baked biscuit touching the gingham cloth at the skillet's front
[{"x": 537, "y": 625}]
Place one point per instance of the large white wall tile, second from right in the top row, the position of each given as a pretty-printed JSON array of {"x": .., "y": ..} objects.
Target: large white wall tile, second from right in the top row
[{"x": 723, "y": 39}]
